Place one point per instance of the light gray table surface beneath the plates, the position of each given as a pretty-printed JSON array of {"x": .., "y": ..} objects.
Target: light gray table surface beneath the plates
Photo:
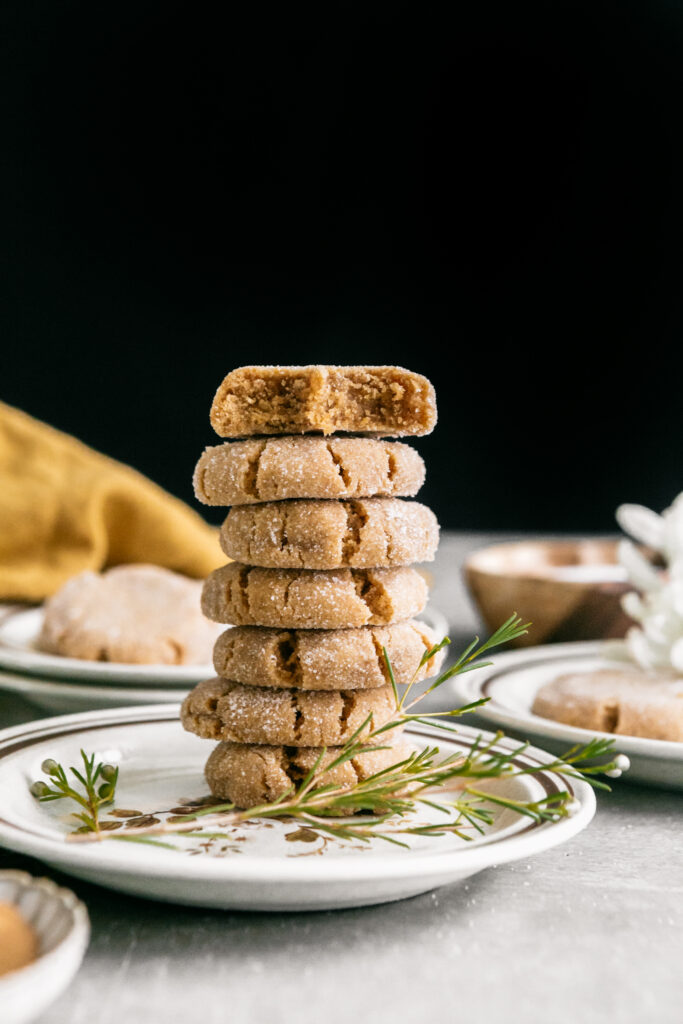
[{"x": 590, "y": 931}]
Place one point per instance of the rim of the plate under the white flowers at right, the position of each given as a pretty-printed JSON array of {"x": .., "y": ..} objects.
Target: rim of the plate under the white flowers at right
[{"x": 471, "y": 688}]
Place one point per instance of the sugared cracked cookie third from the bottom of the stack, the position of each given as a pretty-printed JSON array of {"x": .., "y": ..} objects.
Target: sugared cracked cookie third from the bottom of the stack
[{"x": 326, "y": 660}]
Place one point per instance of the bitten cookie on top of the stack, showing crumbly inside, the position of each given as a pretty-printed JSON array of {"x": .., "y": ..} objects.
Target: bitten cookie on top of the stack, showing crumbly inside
[{"x": 386, "y": 401}]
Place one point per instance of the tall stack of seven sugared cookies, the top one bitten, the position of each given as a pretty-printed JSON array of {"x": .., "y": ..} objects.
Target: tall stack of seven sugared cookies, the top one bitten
[{"x": 321, "y": 580}]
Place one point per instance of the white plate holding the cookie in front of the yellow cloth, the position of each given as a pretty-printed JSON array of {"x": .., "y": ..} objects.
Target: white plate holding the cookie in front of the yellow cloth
[{"x": 19, "y": 655}]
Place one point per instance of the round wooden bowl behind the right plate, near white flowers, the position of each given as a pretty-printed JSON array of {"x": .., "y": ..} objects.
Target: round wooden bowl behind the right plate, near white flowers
[{"x": 569, "y": 590}]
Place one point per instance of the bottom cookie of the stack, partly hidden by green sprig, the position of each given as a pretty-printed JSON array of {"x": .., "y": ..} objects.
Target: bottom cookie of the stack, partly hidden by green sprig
[{"x": 248, "y": 776}]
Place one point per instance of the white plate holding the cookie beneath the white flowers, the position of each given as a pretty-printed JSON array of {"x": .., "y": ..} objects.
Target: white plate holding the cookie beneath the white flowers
[{"x": 513, "y": 682}]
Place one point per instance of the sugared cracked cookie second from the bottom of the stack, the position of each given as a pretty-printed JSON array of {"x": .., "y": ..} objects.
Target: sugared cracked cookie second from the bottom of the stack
[{"x": 220, "y": 709}]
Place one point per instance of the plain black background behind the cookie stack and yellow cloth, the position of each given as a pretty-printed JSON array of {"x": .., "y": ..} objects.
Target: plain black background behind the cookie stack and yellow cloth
[{"x": 492, "y": 197}]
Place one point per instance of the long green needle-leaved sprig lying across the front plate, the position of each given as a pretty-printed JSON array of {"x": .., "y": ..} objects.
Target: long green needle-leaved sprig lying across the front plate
[{"x": 390, "y": 796}]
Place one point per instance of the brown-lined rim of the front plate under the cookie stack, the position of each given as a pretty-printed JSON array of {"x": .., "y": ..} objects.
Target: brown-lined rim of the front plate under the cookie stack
[{"x": 533, "y": 840}]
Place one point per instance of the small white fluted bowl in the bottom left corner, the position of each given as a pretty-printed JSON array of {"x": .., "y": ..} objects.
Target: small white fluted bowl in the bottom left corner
[{"x": 62, "y": 924}]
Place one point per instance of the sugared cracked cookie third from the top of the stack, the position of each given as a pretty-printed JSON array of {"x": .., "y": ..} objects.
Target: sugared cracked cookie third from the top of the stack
[{"x": 367, "y": 533}]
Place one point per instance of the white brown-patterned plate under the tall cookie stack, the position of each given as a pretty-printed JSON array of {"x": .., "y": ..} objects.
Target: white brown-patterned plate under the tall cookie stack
[{"x": 261, "y": 867}]
